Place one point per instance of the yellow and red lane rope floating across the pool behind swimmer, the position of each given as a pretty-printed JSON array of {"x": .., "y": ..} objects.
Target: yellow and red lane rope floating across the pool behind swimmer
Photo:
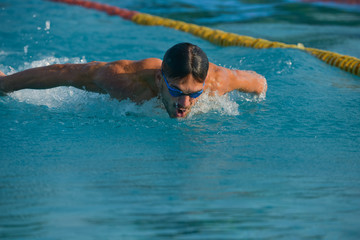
[{"x": 218, "y": 37}]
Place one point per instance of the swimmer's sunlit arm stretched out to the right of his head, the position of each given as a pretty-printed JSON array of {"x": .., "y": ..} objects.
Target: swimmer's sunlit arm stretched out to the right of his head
[{"x": 228, "y": 80}]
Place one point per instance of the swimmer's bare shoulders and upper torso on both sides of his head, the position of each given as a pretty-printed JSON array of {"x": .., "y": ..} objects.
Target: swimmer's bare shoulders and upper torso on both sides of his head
[{"x": 136, "y": 79}]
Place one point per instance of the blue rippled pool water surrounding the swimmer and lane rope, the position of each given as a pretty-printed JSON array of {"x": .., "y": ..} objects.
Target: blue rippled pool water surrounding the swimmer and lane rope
[{"x": 79, "y": 165}]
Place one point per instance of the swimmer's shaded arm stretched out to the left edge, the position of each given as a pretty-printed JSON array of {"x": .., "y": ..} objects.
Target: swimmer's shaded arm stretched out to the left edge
[{"x": 76, "y": 75}]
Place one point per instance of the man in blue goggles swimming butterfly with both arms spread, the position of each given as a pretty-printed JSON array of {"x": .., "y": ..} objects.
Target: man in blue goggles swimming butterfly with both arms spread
[{"x": 183, "y": 75}]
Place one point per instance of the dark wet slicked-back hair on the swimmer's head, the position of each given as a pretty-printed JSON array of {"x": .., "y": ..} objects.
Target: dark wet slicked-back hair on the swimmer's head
[{"x": 183, "y": 59}]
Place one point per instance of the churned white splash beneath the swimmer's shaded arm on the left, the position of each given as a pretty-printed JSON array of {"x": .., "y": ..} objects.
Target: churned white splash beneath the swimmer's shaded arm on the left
[{"x": 77, "y": 101}]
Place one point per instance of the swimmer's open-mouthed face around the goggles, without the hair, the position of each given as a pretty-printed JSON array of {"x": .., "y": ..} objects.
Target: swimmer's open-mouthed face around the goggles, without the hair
[{"x": 179, "y": 107}]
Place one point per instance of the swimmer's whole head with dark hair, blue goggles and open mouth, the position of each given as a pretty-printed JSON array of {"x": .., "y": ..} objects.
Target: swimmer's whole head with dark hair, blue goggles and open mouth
[{"x": 182, "y": 78}]
